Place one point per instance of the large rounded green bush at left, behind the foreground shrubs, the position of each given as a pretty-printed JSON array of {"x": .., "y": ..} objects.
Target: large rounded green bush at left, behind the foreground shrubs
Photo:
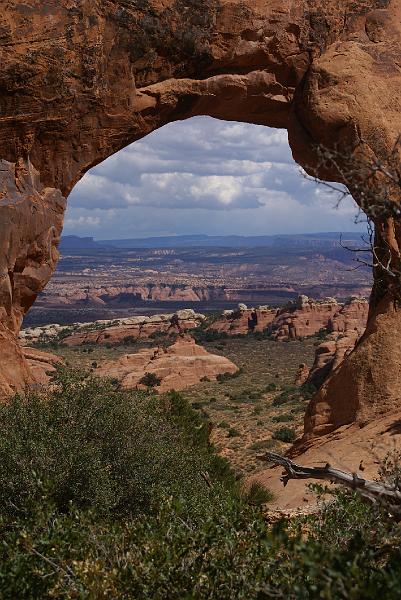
[{"x": 92, "y": 446}]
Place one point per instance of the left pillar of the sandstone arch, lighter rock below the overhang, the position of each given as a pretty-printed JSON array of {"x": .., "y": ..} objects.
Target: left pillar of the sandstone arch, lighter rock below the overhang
[{"x": 31, "y": 218}]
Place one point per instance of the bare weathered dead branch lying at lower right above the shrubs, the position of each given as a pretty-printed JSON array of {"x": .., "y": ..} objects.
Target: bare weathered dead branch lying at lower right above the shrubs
[{"x": 375, "y": 492}]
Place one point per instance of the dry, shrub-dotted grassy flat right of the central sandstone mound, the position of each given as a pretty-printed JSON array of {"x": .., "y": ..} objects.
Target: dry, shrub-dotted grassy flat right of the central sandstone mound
[{"x": 241, "y": 409}]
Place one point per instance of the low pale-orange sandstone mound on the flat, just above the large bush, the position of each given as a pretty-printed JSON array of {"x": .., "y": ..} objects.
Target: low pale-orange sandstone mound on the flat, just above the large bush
[{"x": 177, "y": 367}]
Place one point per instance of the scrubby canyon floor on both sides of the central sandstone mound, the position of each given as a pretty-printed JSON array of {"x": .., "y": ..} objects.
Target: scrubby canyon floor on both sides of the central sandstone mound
[{"x": 256, "y": 410}]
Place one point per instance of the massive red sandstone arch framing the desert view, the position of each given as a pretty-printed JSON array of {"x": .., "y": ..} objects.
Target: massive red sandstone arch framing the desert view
[{"x": 81, "y": 79}]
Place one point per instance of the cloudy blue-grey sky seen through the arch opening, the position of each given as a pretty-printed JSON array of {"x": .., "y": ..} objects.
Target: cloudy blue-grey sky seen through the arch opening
[{"x": 203, "y": 176}]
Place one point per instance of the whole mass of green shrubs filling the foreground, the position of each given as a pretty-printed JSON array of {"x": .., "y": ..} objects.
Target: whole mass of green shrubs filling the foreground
[{"x": 110, "y": 494}]
